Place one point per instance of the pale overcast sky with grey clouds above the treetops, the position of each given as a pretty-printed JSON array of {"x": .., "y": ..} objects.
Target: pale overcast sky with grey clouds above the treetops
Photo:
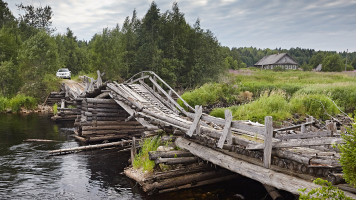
[{"x": 316, "y": 24}]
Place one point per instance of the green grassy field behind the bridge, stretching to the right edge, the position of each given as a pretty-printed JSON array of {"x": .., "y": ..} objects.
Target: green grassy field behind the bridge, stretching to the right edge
[{"x": 279, "y": 94}]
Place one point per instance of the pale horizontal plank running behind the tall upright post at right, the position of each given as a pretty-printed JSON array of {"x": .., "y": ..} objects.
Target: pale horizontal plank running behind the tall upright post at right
[{"x": 298, "y": 143}]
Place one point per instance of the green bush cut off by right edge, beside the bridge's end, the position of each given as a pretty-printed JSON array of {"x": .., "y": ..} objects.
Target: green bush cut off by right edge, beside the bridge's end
[{"x": 348, "y": 155}]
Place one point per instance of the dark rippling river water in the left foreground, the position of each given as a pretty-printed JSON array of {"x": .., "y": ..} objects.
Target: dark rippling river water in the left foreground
[{"x": 28, "y": 172}]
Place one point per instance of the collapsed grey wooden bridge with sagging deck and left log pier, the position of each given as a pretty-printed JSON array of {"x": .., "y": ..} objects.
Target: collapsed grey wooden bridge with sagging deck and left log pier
[{"x": 285, "y": 158}]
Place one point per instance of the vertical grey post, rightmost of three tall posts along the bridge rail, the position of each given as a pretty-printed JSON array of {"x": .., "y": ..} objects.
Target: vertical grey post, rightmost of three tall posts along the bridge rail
[{"x": 268, "y": 142}]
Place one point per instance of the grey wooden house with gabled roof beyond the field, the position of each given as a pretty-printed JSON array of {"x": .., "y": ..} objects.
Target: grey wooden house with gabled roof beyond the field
[{"x": 280, "y": 59}]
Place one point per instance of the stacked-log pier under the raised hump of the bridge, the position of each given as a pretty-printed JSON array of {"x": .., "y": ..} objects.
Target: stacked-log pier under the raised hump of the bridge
[{"x": 104, "y": 119}]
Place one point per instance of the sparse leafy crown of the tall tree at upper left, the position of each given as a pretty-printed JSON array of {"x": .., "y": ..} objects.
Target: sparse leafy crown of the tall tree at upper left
[{"x": 38, "y": 18}]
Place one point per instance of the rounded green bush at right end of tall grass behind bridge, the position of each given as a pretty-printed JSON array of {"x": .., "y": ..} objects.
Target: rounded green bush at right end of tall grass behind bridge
[{"x": 317, "y": 105}]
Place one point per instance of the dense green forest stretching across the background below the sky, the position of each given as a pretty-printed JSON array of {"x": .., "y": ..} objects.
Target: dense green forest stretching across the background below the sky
[{"x": 183, "y": 54}]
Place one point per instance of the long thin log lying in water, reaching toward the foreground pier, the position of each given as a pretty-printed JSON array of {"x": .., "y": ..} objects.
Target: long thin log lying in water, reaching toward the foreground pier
[{"x": 90, "y": 147}]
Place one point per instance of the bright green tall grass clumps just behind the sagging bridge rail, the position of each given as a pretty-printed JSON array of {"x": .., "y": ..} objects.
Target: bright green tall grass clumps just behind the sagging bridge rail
[{"x": 277, "y": 105}]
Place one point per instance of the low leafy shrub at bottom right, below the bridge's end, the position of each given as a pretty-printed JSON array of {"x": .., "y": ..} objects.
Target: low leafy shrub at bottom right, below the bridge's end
[{"x": 327, "y": 191}]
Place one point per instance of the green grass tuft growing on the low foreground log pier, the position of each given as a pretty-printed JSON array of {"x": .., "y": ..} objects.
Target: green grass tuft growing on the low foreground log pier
[{"x": 142, "y": 158}]
